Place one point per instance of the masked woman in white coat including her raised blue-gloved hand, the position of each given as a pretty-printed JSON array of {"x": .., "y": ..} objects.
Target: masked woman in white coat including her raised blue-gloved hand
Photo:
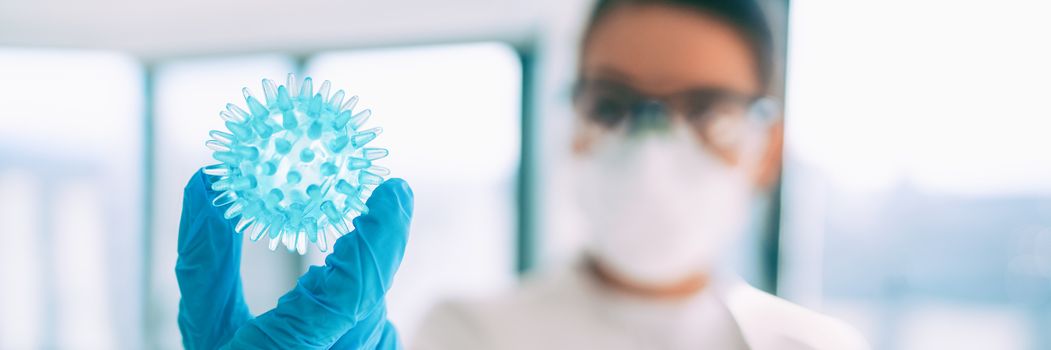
[{"x": 674, "y": 137}]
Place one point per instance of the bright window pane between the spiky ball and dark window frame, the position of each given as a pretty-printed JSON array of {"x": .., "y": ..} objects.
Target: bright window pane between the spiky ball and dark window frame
[{"x": 452, "y": 119}]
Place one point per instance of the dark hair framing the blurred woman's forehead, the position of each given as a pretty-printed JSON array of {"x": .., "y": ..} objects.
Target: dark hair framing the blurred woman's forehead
[{"x": 746, "y": 16}]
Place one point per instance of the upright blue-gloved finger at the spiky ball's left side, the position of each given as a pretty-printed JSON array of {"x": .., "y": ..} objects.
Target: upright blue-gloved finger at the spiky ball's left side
[{"x": 209, "y": 271}]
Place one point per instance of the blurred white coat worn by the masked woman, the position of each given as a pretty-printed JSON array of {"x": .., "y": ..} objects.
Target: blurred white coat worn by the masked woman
[{"x": 571, "y": 311}]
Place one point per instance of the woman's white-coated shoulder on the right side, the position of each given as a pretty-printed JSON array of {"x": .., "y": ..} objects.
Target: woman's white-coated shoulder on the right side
[{"x": 778, "y": 324}]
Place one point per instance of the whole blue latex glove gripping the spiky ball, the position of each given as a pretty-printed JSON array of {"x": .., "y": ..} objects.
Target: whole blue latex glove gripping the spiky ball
[{"x": 340, "y": 305}]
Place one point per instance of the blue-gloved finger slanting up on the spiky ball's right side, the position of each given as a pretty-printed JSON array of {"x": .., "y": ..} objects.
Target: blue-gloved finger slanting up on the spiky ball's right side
[{"x": 332, "y": 300}]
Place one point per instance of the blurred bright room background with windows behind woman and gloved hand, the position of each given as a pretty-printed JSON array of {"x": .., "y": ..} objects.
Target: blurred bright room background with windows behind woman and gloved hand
[{"x": 915, "y": 202}]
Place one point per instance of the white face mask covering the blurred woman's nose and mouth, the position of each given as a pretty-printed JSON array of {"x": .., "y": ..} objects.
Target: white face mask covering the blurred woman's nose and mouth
[{"x": 662, "y": 208}]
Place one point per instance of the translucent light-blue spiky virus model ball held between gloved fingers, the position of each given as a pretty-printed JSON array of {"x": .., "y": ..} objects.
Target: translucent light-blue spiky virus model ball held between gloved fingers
[{"x": 296, "y": 170}]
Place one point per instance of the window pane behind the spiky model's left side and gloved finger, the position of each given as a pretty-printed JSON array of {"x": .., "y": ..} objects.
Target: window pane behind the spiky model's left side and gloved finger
[{"x": 190, "y": 94}]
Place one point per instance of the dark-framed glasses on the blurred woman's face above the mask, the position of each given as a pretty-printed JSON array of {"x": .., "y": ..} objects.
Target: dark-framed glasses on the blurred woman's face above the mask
[{"x": 719, "y": 117}]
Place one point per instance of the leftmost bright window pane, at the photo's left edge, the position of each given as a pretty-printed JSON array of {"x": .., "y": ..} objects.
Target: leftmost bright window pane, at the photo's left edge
[{"x": 71, "y": 174}]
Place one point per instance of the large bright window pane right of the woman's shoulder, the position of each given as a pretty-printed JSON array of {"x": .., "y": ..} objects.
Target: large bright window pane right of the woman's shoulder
[{"x": 918, "y": 205}]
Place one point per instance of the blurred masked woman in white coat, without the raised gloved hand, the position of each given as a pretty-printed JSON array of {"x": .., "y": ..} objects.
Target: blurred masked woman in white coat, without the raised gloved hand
[{"x": 675, "y": 136}]
